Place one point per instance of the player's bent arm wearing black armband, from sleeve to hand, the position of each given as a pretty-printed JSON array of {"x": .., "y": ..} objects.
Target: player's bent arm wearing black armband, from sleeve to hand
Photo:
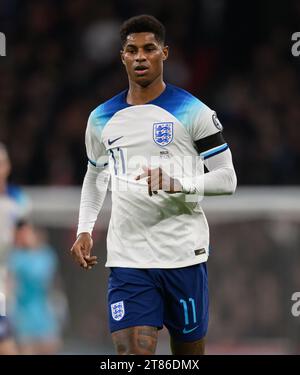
[{"x": 213, "y": 149}]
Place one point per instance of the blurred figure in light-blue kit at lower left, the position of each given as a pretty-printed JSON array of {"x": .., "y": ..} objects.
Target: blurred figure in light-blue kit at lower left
[{"x": 32, "y": 269}]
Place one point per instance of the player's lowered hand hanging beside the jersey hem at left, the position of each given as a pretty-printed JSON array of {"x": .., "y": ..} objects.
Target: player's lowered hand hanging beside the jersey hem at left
[{"x": 81, "y": 251}]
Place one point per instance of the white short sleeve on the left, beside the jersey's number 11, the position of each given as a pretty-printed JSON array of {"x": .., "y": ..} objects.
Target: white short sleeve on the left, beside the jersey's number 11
[{"x": 95, "y": 148}]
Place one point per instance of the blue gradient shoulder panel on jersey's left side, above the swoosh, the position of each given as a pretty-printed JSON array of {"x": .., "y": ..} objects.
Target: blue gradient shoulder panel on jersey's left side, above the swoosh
[{"x": 104, "y": 112}]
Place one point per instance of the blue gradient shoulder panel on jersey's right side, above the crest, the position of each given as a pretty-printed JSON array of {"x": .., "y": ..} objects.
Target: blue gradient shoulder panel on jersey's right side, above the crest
[{"x": 179, "y": 103}]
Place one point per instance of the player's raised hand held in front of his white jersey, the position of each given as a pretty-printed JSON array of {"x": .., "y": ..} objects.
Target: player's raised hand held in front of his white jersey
[{"x": 157, "y": 180}]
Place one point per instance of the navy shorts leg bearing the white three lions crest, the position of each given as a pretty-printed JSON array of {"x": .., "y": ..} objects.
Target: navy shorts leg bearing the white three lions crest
[{"x": 133, "y": 300}]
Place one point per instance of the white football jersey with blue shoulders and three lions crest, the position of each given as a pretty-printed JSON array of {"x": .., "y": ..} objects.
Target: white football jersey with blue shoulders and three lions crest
[{"x": 165, "y": 230}]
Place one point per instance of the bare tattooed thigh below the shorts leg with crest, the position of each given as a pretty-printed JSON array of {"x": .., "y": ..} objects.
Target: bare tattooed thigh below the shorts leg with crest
[{"x": 140, "y": 340}]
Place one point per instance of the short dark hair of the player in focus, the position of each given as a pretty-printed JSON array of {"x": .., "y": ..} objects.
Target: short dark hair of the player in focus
[{"x": 140, "y": 24}]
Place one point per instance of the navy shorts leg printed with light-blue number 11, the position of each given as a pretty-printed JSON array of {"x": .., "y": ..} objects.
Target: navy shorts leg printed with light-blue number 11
[{"x": 186, "y": 303}]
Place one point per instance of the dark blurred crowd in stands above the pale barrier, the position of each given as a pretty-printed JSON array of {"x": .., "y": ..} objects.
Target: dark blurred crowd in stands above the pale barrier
[{"x": 63, "y": 60}]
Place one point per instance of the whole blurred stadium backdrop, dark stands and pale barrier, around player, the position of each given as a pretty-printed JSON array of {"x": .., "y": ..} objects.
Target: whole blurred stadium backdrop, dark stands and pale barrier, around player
[{"x": 63, "y": 60}]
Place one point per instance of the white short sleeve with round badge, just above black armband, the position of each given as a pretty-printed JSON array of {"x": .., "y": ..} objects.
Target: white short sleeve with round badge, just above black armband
[{"x": 205, "y": 123}]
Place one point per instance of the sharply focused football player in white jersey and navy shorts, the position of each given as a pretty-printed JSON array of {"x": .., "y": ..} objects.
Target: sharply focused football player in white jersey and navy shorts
[{"x": 146, "y": 141}]
